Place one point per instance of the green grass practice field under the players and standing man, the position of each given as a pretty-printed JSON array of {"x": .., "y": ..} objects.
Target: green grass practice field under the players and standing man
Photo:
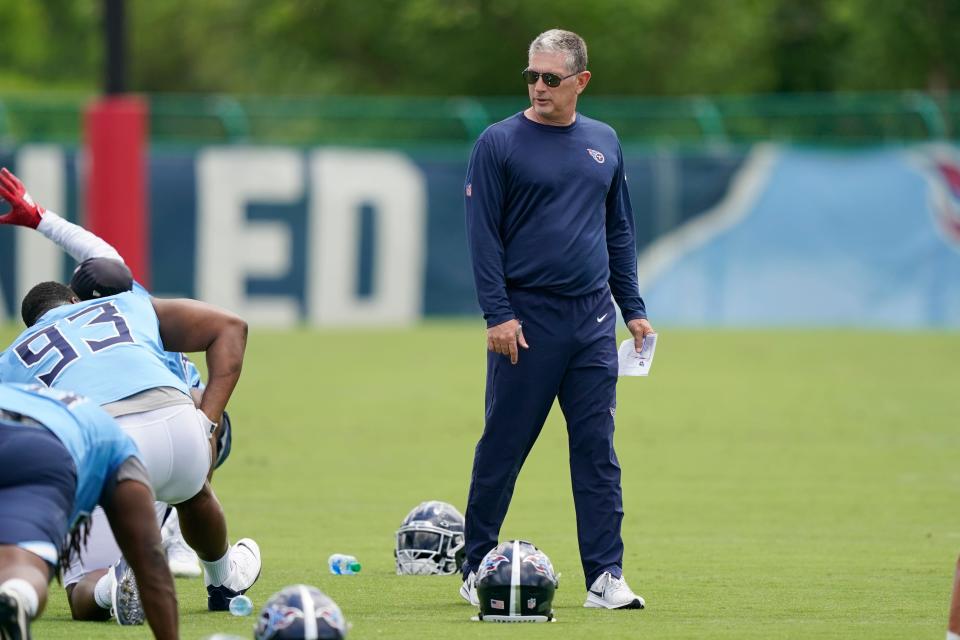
[{"x": 777, "y": 484}]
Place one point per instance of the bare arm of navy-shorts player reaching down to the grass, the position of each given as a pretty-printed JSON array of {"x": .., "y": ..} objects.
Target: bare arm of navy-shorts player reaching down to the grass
[{"x": 129, "y": 508}]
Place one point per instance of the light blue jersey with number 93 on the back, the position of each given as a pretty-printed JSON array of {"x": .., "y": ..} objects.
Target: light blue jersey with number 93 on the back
[{"x": 106, "y": 349}]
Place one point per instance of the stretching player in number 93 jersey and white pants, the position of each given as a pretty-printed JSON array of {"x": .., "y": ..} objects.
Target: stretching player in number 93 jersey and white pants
[{"x": 110, "y": 350}]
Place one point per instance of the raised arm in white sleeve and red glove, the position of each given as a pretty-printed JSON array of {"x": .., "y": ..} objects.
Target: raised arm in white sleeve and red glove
[{"x": 25, "y": 212}]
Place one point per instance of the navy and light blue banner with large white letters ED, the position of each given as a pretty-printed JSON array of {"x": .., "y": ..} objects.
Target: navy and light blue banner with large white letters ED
[{"x": 772, "y": 236}]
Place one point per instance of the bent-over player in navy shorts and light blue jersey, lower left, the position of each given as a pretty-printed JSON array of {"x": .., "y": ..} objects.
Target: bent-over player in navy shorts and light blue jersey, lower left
[{"x": 60, "y": 455}]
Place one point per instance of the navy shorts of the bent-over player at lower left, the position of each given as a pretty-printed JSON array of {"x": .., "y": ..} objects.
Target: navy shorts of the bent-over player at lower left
[{"x": 38, "y": 484}]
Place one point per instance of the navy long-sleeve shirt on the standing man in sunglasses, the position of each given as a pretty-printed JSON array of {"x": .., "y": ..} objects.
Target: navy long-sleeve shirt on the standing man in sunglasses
[{"x": 547, "y": 208}]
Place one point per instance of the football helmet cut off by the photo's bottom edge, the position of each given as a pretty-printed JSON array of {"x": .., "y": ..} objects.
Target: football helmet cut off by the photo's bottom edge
[{"x": 300, "y": 612}]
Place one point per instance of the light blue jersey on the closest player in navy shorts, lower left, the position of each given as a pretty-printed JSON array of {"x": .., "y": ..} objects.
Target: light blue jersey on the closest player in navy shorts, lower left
[{"x": 94, "y": 440}]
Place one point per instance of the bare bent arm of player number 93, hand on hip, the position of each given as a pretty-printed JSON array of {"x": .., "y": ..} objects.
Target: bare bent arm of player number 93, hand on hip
[{"x": 190, "y": 326}]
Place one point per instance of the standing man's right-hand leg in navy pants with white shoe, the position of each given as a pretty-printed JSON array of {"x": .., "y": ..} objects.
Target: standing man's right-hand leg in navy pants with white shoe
[{"x": 588, "y": 400}]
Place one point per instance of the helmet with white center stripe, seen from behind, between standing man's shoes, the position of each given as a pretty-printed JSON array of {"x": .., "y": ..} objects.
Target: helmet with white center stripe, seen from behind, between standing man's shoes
[{"x": 515, "y": 583}]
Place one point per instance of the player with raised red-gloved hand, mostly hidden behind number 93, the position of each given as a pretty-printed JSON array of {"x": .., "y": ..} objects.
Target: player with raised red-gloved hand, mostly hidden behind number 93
[{"x": 102, "y": 272}]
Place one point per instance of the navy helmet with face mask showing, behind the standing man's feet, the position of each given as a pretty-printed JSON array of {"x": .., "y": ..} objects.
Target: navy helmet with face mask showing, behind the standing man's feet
[{"x": 430, "y": 540}]
